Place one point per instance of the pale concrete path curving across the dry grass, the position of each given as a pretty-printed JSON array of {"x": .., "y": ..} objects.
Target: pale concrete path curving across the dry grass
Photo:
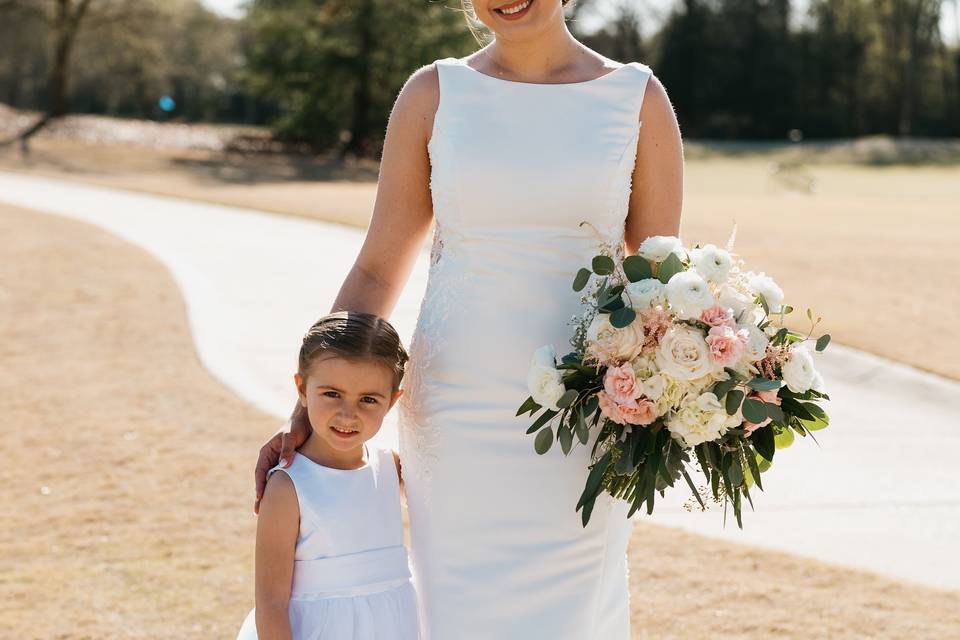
[{"x": 878, "y": 493}]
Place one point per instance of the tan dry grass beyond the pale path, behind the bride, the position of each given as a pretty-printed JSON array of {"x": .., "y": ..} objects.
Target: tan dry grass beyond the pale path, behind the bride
[{"x": 864, "y": 234}]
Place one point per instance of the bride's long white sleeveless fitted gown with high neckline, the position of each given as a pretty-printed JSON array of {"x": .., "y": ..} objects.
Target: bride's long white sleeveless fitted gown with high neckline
[{"x": 498, "y": 551}]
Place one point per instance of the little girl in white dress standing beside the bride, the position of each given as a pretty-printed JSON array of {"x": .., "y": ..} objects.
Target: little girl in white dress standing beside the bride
[{"x": 330, "y": 558}]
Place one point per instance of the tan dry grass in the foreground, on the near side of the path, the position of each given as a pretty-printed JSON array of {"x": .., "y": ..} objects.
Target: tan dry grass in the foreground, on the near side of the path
[{"x": 127, "y": 509}]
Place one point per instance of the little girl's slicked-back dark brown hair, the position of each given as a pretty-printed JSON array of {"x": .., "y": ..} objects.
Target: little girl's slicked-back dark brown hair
[{"x": 355, "y": 335}]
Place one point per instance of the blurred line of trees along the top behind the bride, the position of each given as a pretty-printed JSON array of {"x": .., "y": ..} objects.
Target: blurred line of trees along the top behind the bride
[{"x": 326, "y": 72}]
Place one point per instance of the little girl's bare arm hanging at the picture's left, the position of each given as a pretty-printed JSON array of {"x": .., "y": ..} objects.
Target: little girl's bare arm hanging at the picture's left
[{"x": 278, "y": 526}]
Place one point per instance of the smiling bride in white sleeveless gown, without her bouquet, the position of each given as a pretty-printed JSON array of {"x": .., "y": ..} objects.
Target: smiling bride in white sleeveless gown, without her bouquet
[{"x": 508, "y": 151}]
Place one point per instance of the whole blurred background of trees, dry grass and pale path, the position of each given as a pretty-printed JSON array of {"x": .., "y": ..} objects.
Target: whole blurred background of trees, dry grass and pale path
[{"x": 184, "y": 184}]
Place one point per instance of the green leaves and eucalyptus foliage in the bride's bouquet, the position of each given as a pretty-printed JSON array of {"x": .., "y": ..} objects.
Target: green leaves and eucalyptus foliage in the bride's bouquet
[{"x": 638, "y": 461}]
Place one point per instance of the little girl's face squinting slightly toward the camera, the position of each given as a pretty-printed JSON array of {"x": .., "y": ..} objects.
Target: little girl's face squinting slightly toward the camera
[{"x": 346, "y": 399}]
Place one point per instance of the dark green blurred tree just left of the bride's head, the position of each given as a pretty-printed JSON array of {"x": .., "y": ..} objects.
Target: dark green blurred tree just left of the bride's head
[{"x": 335, "y": 66}]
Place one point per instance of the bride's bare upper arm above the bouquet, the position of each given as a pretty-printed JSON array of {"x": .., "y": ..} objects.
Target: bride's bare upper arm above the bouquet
[{"x": 656, "y": 199}]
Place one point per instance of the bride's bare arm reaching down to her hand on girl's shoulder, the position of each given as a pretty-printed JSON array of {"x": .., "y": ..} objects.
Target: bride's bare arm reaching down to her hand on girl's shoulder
[{"x": 402, "y": 213}]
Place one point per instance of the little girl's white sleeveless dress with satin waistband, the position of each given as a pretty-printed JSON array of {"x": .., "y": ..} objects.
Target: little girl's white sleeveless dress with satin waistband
[{"x": 351, "y": 576}]
